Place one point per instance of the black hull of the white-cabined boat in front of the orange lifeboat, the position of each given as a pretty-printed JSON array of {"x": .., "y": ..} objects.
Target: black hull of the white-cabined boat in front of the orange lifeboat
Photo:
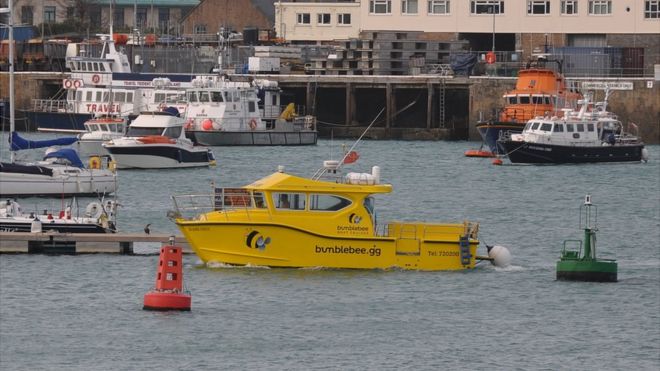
[{"x": 534, "y": 153}]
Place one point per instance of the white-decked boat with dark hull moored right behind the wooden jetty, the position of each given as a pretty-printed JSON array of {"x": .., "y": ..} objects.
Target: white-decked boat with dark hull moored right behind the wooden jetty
[{"x": 96, "y": 217}]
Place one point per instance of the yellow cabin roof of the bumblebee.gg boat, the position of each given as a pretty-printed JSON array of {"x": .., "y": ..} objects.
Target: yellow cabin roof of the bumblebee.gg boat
[{"x": 287, "y": 182}]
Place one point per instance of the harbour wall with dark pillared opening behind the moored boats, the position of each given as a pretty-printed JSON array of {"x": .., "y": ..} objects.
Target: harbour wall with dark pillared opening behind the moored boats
[{"x": 400, "y": 107}]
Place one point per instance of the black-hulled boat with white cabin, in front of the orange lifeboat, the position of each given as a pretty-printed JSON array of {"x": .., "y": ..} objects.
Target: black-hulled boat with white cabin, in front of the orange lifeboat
[{"x": 591, "y": 134}]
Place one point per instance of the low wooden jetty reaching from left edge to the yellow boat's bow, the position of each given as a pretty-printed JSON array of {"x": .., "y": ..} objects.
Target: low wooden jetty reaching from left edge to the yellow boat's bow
[{"x": 80, "y": 243}]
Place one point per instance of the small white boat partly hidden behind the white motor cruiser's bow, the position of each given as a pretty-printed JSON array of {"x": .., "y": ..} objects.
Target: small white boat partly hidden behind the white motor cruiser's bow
[{"x": 99, "y": 130}]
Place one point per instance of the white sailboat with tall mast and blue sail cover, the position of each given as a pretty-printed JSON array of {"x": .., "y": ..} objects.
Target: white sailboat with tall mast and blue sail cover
[{"x": 60, "y": 173}]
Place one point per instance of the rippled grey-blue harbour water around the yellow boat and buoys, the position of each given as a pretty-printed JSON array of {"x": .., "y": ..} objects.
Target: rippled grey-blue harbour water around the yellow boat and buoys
[{"x": 85, "y": 312}]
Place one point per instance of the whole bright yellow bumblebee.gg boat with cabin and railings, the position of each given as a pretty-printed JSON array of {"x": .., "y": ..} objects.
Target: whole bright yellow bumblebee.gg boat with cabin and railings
[{"x": 327, "y": 221}]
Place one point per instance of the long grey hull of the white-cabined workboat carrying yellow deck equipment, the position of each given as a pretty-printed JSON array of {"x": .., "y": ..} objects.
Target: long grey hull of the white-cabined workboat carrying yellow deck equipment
[{"x": 253, "y": 138}]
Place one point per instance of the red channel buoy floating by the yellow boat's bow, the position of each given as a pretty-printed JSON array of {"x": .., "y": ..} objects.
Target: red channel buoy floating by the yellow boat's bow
[{"x": 169, "y": 293}]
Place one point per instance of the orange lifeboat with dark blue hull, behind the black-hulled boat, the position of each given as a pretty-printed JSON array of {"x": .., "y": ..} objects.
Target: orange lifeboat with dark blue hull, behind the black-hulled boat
[{"x": 539, "y": 90}]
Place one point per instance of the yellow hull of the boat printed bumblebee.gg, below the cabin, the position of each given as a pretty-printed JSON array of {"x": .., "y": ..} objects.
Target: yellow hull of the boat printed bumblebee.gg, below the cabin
[{"x": 273, "y": 245}]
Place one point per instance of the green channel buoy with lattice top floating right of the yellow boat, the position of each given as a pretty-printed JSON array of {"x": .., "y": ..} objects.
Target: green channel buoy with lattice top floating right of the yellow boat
[{"x": 582, "y": 264}]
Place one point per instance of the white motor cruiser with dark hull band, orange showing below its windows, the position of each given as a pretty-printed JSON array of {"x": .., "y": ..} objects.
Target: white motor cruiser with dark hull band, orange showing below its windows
[{"x": 157, "y": 140}]
